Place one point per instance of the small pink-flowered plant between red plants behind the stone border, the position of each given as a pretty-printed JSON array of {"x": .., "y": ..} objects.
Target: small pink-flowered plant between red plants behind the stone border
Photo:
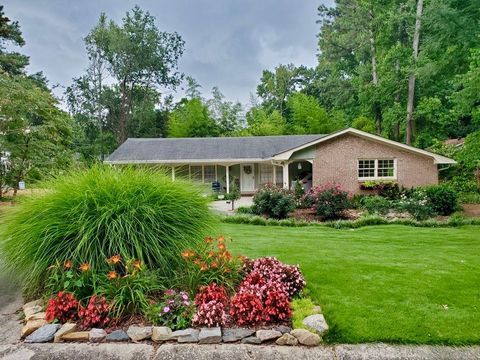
[{"x": 173, "y": 310}]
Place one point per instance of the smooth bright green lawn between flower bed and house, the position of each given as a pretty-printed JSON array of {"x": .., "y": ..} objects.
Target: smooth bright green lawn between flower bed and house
[{"x": 382, "y": 283}]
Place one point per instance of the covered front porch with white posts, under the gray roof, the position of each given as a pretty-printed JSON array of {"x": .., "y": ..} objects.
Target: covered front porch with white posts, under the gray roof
[{"x": 247, "y": 176}]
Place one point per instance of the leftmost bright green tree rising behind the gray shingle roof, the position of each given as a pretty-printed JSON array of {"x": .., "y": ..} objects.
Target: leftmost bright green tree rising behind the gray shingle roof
[{"x": 191, "y": 118}]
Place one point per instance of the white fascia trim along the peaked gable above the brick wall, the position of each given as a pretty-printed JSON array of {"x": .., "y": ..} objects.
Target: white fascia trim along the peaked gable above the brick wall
[{"x": 437, "y": 159}]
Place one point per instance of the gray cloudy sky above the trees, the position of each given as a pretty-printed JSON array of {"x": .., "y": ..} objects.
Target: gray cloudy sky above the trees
[{"x": 228, "y": 42}]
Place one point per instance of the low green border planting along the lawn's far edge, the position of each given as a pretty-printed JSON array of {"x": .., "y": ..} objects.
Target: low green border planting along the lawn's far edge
[{"x": 371, "y": 220}]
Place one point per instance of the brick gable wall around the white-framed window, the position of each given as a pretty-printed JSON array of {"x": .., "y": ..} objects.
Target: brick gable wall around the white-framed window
[{"x": 336, "y": 161}]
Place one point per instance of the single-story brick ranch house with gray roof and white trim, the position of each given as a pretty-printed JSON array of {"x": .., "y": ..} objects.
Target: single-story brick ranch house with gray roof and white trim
[{"x": 348, "y": 157}]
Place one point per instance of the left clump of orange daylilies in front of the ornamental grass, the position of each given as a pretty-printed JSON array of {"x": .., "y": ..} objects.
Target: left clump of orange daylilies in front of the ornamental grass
[{"x": 127, "y": 286}]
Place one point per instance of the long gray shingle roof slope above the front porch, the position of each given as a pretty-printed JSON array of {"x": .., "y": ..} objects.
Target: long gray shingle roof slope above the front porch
[{"x": 221, "y": 148}]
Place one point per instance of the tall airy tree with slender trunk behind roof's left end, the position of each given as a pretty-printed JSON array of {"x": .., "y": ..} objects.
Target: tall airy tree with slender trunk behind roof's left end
[{"x": 138, "y": 54}]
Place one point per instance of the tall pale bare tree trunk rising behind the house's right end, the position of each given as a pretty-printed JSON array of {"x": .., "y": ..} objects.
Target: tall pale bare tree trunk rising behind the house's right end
[{"x": 411, "y": 79}]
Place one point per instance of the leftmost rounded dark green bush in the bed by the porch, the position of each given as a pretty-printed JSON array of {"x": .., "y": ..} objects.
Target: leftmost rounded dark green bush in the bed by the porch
[{"x": 273, "y": 201}]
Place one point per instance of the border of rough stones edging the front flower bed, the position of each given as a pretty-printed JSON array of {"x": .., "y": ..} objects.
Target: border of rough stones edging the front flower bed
[{"x": 38, "y": 330}]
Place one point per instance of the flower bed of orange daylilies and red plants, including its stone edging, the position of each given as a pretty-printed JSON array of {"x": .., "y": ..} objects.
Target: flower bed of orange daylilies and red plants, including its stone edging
[{"x": 233, "y": 299}]
